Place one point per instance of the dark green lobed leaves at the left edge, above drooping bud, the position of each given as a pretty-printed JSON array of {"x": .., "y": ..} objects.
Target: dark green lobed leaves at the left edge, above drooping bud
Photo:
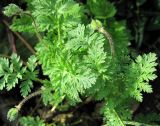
[{"x": 12, "y": 70}]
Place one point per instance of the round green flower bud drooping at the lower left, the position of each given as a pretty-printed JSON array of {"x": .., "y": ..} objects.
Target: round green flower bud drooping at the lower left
[{"x": 12, "y": 114}]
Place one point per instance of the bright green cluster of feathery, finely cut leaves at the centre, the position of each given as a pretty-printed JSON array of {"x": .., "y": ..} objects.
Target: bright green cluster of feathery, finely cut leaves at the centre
[{"x": 75, "y": 73}]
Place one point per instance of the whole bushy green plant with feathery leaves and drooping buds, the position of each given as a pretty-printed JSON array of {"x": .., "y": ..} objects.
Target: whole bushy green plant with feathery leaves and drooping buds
[{"x": 83, "y": 58}]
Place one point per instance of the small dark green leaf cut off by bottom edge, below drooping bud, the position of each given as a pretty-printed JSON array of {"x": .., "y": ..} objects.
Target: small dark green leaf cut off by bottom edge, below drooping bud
[{"x": 30, "y": 121}]
